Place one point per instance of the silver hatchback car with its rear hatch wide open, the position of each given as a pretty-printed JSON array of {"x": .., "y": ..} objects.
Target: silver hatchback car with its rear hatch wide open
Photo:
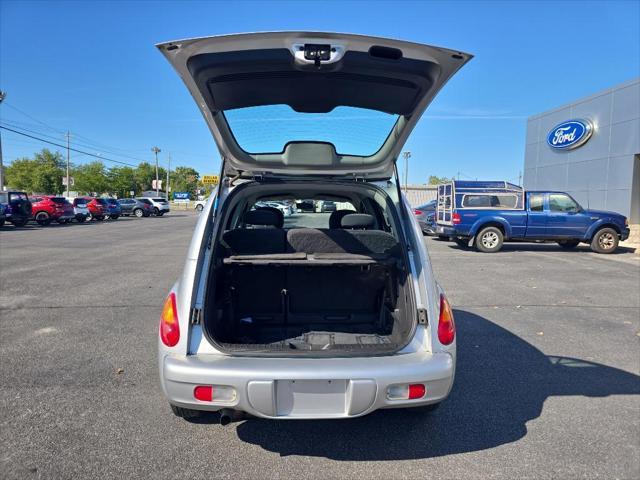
[{"x": 338, "y": 314}]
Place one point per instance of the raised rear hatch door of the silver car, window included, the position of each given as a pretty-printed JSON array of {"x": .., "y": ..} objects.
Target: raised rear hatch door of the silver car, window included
[{"x": 347, "y": 83}]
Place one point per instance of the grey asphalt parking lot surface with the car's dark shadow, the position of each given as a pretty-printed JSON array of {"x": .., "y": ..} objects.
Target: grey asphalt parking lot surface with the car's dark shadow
[{"x": 547, "y": 381}]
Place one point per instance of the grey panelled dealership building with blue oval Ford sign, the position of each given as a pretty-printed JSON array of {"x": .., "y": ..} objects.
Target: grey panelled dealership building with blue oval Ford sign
[{"x": 590, "y": 148}]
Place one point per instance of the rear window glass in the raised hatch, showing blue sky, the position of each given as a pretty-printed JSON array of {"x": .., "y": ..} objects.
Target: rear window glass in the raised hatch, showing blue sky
[{"x": 268, "y": 128}]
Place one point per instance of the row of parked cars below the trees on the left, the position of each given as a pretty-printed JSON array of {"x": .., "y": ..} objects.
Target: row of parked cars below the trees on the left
[{"x": 18, "y": 208}]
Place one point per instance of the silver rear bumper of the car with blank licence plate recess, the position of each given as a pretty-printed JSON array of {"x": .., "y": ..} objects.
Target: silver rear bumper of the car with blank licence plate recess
[{"x": 325, "y": 388}]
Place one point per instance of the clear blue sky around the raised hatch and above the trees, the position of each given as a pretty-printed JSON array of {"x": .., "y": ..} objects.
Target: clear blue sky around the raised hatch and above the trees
[{"x": 92, "y": 68}]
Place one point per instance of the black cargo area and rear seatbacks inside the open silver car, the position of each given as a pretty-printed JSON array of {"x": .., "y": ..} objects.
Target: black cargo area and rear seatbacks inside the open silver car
[{"x": 309, "y": 289}]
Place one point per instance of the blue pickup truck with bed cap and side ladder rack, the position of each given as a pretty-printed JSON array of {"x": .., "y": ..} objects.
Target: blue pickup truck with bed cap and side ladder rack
[{"x": 487, "y": 214}]
